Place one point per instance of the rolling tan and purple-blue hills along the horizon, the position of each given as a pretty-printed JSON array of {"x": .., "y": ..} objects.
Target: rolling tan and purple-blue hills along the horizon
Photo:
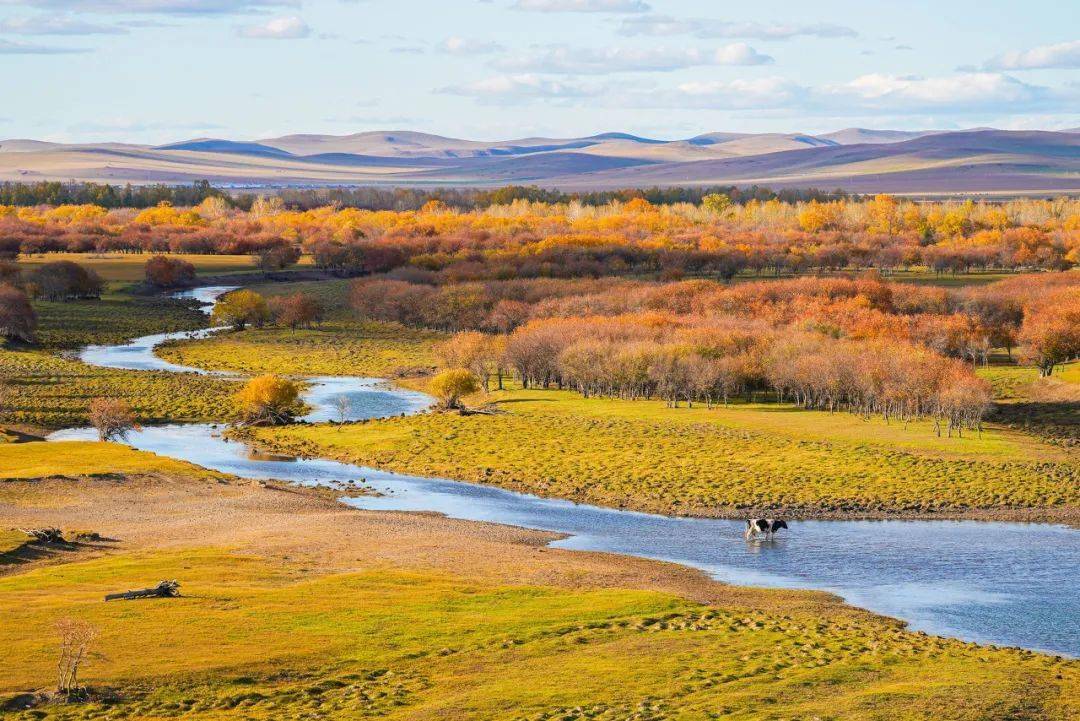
[{"x": 859, "y": 160}]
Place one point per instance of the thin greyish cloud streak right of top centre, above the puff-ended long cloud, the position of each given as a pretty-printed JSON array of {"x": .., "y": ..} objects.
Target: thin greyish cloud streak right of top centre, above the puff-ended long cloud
[{"x": 666, "y": 25}]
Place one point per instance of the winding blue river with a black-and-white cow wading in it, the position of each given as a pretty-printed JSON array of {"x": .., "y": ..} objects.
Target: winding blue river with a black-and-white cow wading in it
[{"x": 1011, "y": 584}]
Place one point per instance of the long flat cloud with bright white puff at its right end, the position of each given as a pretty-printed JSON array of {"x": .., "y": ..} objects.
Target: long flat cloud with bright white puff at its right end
[{"x": 562, "y": 60}]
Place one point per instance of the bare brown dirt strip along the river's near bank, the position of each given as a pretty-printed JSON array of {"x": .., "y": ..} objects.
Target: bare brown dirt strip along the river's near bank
[{"x": 309, "y": 527}]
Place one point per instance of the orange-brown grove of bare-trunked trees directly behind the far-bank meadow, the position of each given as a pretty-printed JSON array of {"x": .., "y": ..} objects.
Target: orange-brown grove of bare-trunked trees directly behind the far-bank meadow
[{"x": 863, "y": 346}]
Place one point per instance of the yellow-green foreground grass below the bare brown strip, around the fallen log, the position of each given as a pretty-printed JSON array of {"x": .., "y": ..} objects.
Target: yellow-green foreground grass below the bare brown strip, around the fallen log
[{"x": 260, "y": 642}]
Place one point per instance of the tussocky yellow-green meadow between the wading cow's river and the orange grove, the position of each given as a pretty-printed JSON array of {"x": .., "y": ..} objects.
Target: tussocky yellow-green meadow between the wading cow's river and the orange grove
[{"x": 644, "y": 456}]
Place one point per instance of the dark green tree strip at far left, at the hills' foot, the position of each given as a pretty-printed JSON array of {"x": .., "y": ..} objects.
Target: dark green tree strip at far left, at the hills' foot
[{"x": 50, "y": 193}]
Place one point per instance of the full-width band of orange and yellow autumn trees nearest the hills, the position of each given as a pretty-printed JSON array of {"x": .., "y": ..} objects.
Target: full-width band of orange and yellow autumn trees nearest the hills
[{"x": 524, "y": 239}]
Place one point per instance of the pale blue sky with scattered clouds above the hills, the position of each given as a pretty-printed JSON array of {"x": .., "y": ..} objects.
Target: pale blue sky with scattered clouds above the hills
[{"x": 154, "y": 72}]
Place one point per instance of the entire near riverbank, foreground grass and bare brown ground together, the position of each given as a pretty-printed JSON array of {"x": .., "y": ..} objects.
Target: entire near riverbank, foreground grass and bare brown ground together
[{"x": 295, "y": 607}]
